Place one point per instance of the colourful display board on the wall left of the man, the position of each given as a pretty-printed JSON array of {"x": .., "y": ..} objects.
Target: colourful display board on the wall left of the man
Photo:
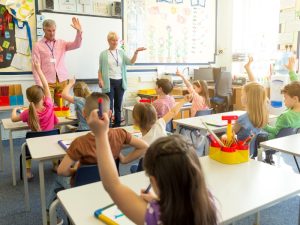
[{"x": 17, "y": 32}]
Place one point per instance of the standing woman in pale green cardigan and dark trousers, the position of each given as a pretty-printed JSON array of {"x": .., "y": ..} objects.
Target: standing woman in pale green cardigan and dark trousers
[{"x": 112, "y": 74}]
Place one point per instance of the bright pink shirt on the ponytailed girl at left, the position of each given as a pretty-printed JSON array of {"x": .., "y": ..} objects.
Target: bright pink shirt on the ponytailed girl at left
[{"x": 47, "y": 117}]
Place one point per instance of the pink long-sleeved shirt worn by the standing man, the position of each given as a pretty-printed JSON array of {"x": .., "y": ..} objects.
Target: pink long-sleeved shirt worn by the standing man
[{"x": 45, "y": 51}]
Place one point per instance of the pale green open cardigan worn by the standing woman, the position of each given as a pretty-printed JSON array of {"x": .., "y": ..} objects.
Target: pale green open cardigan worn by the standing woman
[{"x": 103, "y": 68}]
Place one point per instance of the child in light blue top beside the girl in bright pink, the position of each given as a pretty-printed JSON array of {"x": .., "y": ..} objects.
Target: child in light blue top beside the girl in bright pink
[{"x": 81, "y": 91}]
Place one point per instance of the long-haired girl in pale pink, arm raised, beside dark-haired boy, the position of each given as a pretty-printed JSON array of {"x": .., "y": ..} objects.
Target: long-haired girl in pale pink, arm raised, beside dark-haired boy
[{"x": 198, "y": 94}]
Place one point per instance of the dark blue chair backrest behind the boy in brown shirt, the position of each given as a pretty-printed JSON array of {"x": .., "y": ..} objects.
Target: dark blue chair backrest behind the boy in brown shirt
[{"x": 86, "y": 174}]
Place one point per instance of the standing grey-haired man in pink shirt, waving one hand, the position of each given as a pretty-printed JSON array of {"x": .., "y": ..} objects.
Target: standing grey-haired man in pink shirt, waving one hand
[{"x": 50, "y": 53}]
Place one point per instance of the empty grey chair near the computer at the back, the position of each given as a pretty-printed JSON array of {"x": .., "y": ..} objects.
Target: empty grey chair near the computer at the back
[{"x": 222, "y": 99}]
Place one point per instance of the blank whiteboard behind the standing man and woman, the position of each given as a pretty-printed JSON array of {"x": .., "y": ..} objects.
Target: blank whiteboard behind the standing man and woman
[{"x": 84, "y": 61}]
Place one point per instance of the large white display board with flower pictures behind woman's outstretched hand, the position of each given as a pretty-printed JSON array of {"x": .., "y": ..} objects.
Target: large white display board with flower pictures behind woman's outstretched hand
[{"x": 173, "y": 31}]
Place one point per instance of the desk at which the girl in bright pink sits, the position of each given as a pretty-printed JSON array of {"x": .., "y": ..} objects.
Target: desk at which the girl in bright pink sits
[{"x": 17, "y": 126}]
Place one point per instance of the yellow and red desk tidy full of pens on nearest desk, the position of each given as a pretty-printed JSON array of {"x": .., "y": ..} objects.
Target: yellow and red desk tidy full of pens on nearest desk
[{"x": 231, "y": 151}]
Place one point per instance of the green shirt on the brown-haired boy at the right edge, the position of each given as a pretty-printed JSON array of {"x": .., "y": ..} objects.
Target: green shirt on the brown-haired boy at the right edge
[{"x": 288, "y": 119}]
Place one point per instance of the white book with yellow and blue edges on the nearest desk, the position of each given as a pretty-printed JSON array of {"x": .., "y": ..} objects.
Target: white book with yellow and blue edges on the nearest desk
[{"x": 112, "y": 215}]
